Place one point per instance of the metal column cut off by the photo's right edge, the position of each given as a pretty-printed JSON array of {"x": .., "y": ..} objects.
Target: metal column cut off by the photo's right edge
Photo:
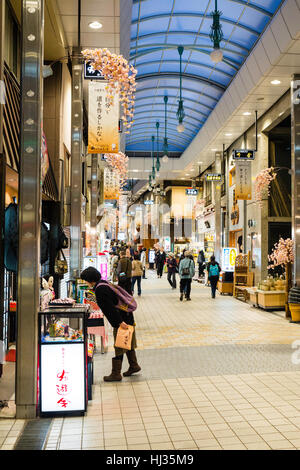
[{"x": 295, "y": 118}]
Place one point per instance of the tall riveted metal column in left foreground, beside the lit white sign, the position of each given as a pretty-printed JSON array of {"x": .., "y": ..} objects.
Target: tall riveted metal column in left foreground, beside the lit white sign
[{"x": 29, "y": 207}]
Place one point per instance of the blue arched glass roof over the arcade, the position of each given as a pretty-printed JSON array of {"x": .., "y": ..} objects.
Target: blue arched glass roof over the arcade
[{"x": 158, "y": 27}]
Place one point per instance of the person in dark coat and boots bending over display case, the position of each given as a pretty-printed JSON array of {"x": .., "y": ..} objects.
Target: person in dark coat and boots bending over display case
[{"x": 107, "y": 299}]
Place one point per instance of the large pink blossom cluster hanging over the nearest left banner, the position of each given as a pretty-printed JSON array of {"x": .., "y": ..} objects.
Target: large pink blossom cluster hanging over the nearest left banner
[{"x": 120, "y": 76}]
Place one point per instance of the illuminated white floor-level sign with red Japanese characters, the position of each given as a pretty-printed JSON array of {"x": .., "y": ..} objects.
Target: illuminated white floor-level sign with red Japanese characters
[{"x": 62, "y": 377}]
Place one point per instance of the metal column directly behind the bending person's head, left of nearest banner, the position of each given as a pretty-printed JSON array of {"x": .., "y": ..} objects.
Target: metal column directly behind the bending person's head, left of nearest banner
[{"x": 76, "y": 170}]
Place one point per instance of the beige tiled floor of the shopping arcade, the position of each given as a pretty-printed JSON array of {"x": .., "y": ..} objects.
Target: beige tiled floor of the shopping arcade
[{"x": 216, "y": 374}]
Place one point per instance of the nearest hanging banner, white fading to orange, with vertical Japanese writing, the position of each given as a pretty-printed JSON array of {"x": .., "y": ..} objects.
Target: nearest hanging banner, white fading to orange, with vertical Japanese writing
[{"x": 103, "y": 120}]
